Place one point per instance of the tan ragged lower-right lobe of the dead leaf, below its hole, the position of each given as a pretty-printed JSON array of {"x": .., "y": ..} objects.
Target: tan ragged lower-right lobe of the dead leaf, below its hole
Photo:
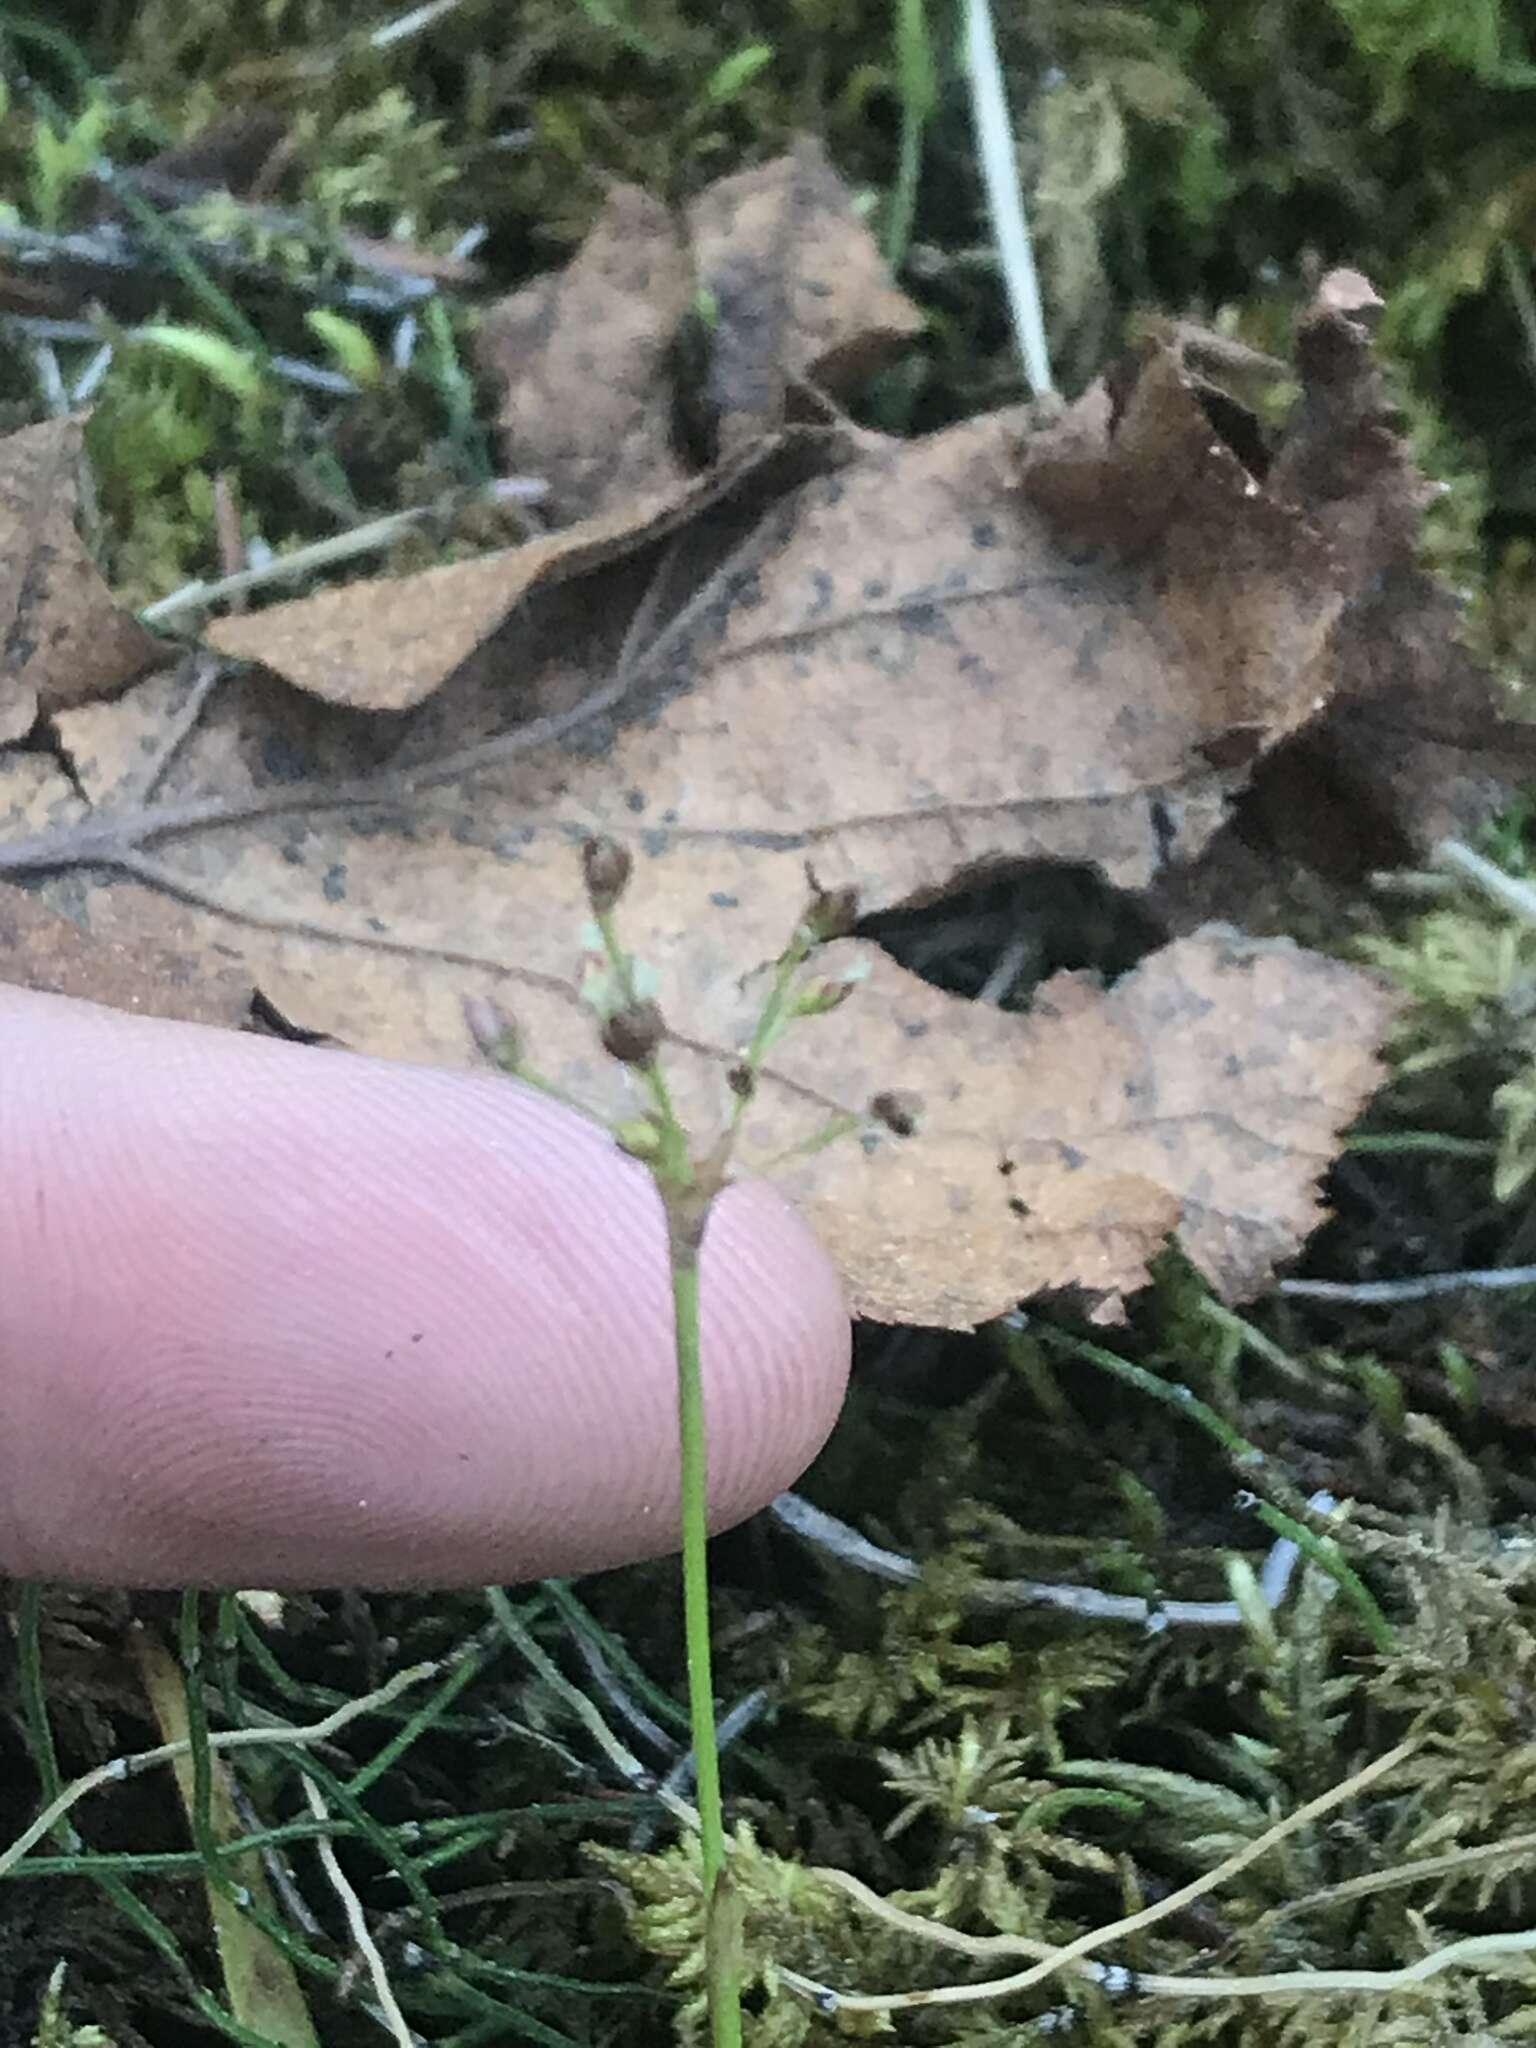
[{"x": 1197, "y": 1101}]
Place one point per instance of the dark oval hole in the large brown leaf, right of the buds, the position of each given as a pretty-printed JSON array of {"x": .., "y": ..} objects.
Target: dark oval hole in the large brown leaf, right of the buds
[{"x": 1000, "y": 935}]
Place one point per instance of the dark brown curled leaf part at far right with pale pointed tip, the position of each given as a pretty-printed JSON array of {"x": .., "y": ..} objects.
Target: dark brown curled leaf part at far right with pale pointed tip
[{"x": 1416, "y": 740}]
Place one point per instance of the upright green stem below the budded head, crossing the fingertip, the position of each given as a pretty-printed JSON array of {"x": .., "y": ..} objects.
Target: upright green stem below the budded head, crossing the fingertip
[{"x": 724, "y": 2002}]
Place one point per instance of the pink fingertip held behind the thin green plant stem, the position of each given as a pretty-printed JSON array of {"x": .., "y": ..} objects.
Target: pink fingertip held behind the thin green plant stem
[{"x": 275, "y": 1316}]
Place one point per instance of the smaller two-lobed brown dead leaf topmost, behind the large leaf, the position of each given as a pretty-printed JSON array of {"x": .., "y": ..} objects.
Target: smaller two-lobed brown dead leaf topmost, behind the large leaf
[{"x": 787, "y": 288}]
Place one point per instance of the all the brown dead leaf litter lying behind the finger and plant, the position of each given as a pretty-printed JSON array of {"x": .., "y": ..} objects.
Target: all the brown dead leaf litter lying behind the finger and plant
[{"x": 906, "y": 665}]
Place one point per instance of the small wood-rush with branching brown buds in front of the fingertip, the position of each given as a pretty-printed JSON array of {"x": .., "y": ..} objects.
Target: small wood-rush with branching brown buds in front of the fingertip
[{"x": 689, "y": 1179}]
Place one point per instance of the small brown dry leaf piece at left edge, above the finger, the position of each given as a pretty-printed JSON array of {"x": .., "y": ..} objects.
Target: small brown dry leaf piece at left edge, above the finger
[{"x": 65, "y": 640}]
